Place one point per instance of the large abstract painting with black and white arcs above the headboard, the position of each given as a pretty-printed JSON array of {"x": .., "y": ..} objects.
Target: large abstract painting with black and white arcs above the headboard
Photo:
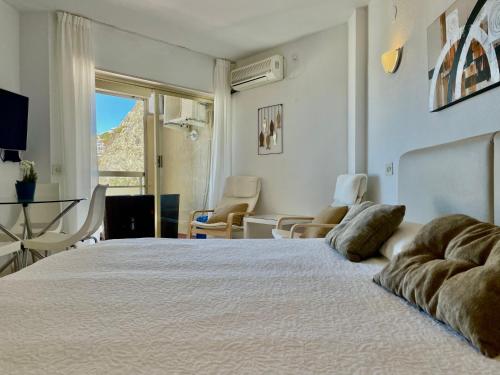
[{"x": 464, "y": 52}]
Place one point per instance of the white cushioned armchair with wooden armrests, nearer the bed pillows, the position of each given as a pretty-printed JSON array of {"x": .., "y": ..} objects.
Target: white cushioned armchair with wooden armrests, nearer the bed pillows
[{"x": 349, "y": 190}]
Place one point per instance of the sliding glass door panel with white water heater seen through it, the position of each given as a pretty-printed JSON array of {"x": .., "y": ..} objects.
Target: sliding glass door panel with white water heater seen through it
[{"x": 183, "y": 154}]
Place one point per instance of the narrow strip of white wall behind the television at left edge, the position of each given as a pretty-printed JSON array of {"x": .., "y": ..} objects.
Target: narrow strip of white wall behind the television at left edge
[{"x": 9, "y": 80}]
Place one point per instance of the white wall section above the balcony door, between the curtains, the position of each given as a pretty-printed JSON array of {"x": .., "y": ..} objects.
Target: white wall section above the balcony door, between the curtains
[{"x": 126, "y": 53}]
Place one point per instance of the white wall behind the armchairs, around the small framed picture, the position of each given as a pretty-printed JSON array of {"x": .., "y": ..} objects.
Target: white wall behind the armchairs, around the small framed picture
[{"x": 314, "y": 95}]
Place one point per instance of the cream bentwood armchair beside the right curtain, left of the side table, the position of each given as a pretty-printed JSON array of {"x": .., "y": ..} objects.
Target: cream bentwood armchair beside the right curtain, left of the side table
[{"x": 237, "y": 190}]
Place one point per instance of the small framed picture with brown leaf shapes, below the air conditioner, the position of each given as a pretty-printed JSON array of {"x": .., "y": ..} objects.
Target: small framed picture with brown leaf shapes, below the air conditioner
[{"x": 270, "y": 130}]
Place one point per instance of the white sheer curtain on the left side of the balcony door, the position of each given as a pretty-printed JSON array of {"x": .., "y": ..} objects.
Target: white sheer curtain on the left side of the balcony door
[{"x": 74, "y": 117}]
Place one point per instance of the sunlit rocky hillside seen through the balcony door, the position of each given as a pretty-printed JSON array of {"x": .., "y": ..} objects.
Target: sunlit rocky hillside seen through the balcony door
[{"x": 122, "y": 148}]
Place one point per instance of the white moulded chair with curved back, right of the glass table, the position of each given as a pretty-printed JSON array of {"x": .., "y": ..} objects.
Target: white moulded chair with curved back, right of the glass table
[{"x": 54, "y": 242}]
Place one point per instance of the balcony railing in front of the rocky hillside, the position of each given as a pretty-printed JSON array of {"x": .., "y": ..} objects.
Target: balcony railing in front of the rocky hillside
[{"x": 119, "y": 180}]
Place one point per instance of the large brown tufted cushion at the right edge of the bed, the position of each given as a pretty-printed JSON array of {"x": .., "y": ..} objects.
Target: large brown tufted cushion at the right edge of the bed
[{"x": 452, "y": 272}]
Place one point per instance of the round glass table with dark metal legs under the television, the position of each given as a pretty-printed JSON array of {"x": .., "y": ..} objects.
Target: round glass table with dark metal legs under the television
[{"x": 28, "y": 232}]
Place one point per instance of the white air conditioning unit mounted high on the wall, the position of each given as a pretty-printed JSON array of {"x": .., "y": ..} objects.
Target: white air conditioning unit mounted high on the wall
[{"x": 257, "y": 74}]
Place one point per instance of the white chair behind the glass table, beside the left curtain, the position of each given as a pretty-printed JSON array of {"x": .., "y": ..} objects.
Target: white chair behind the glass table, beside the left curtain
[{"x": 40, "y": 214}]
